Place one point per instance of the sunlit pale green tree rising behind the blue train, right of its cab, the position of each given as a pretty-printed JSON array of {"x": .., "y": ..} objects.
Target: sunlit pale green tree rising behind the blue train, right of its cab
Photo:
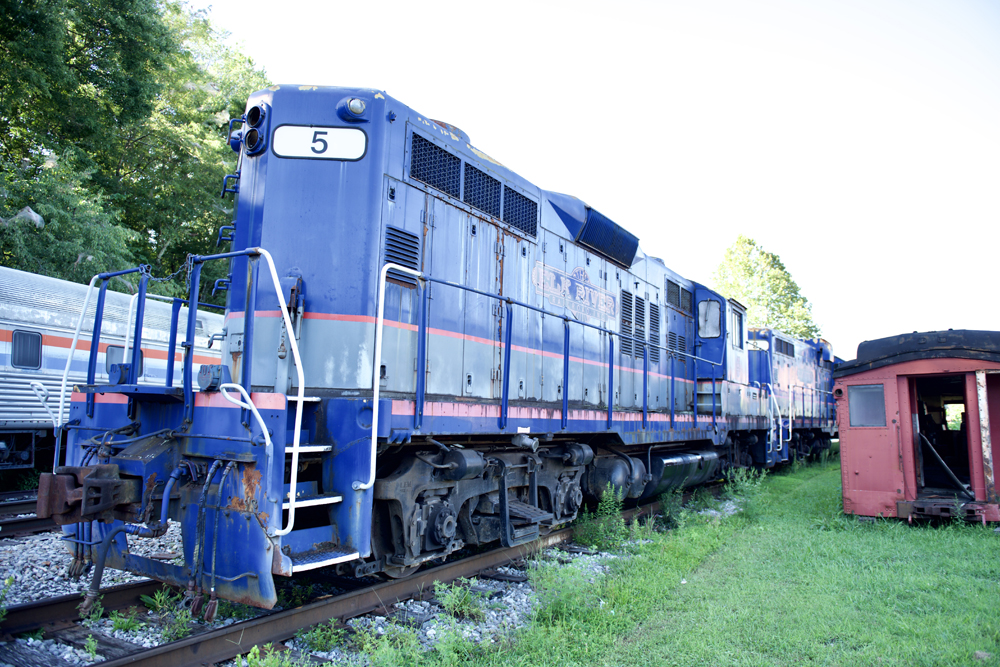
[{"x": 758, "y": 279}]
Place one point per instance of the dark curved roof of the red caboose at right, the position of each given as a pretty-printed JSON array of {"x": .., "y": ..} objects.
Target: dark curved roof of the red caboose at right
[{"x": 951, "y": 344}]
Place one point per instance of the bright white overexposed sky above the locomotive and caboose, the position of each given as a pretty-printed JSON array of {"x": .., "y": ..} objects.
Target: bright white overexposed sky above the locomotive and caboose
[{"x": 858, "y": 140}]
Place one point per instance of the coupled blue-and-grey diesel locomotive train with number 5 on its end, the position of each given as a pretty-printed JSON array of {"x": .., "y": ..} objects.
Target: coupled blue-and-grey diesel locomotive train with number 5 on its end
[{"x": 422, "y": 351}]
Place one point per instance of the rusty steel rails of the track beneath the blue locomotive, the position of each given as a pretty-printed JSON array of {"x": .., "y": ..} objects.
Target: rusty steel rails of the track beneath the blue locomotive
[{"x": 58, "y": 617}]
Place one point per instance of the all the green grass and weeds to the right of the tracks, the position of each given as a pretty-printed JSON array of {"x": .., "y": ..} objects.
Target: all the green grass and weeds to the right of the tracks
[{"x": 786, "y": 580}]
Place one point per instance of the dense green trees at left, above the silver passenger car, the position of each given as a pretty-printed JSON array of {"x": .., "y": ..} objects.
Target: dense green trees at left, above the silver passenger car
[{"x": 114, "y": 118}]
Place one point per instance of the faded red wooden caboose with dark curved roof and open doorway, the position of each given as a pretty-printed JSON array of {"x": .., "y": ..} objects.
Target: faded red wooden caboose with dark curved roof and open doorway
[{"x": 915, "y": 414}]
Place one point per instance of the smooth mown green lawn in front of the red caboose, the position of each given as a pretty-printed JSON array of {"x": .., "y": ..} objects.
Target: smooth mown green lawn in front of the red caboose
[{"x": 804, "y": 584}]
